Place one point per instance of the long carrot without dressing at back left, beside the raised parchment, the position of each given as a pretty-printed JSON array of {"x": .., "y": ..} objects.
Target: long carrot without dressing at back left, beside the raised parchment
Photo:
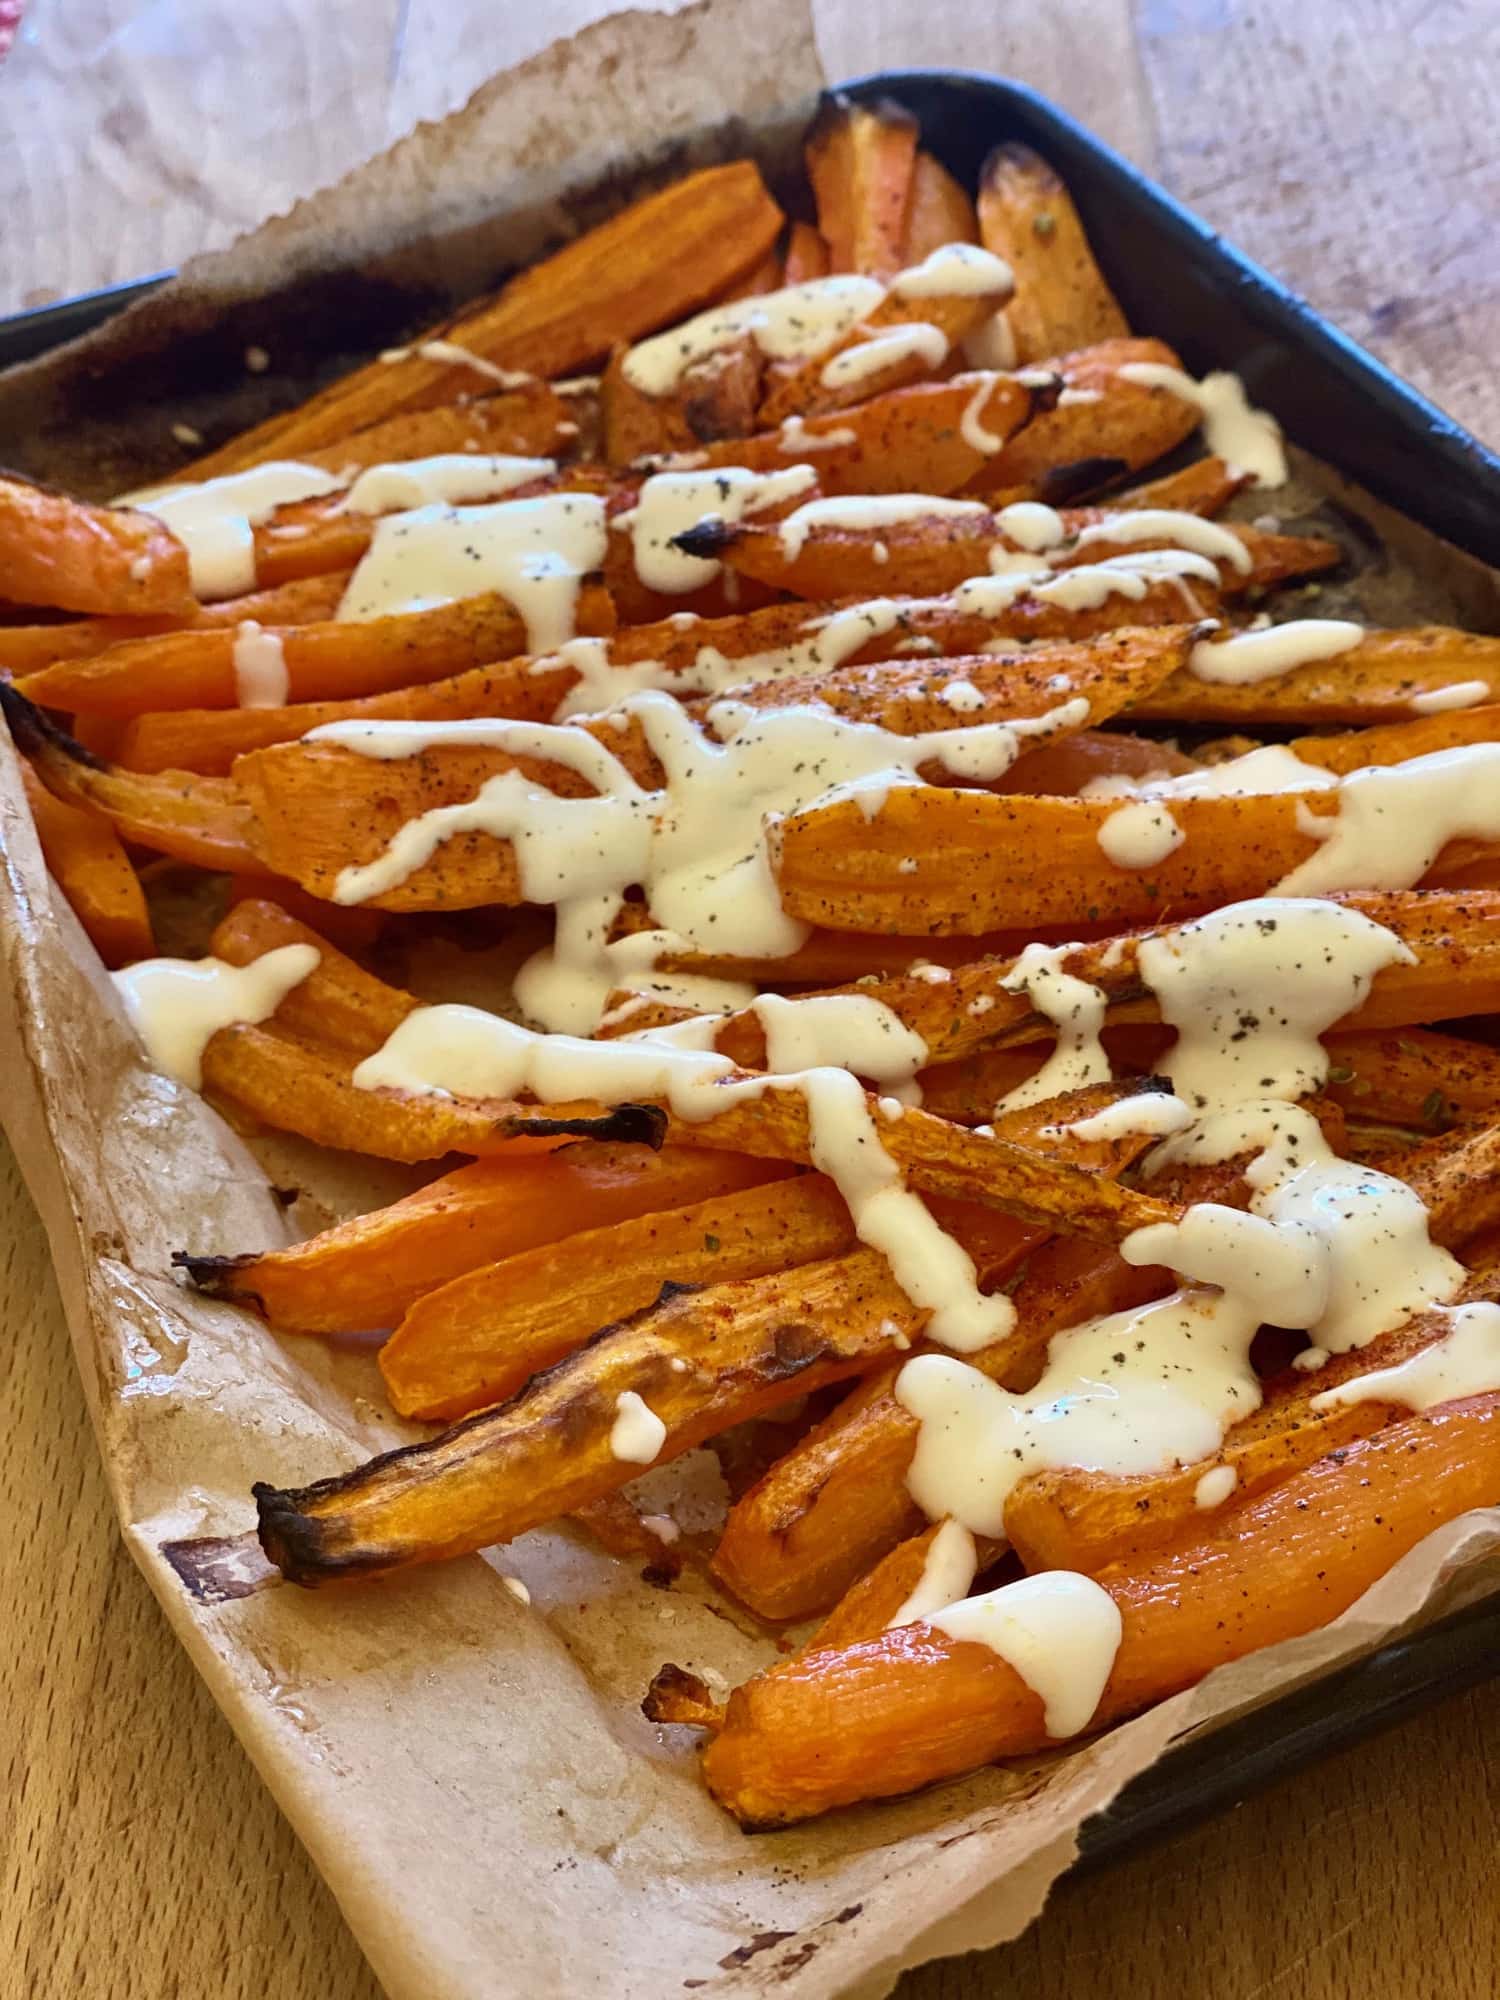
[{"x": 647, "y": 267}]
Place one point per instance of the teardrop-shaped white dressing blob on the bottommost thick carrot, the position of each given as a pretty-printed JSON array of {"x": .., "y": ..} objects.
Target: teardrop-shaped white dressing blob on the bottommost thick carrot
[{"x": 1057, "y": 1631}]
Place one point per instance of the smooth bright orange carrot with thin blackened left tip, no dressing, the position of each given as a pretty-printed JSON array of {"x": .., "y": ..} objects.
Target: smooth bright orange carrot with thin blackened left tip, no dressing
[{"x": 377, "y": 1267}]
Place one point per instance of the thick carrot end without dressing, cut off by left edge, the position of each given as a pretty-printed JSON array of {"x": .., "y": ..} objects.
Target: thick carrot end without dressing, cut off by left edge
[{"x": 89, "y": 559}]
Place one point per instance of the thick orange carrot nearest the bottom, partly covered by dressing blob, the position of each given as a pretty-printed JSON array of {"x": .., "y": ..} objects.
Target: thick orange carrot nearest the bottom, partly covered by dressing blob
[{"x": 913, "y": 1707}]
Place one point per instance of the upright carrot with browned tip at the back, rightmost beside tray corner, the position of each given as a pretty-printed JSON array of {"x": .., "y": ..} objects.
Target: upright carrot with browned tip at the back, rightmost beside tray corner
[{"x": 1029, "y": 219}]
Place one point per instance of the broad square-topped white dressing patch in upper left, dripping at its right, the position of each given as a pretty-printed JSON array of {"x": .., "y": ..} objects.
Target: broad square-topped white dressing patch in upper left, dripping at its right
[{"x": 535, "y": 553}]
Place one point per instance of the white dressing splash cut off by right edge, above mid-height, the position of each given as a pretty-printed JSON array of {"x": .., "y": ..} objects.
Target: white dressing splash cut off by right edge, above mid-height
[{"x": 1397, "y": 819}]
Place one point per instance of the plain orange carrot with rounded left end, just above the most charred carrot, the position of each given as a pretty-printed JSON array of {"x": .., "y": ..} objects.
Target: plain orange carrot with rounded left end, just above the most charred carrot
[{"x": 481, "y": 1337}]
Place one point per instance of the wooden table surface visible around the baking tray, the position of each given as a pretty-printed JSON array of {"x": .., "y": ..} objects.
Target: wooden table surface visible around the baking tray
[{"x": 1353, "y": 149}]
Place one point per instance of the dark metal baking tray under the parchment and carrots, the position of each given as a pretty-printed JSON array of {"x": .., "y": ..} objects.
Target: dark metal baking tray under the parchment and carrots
[{"x": 1179, "y": 279}]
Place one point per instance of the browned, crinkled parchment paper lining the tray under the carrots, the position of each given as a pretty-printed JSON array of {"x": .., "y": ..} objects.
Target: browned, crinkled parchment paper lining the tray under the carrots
[{"x": 471, "y": 1775}]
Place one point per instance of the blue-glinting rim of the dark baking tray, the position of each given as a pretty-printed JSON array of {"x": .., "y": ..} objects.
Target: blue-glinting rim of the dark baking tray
[{"x": 1207, "y": 1773}]
